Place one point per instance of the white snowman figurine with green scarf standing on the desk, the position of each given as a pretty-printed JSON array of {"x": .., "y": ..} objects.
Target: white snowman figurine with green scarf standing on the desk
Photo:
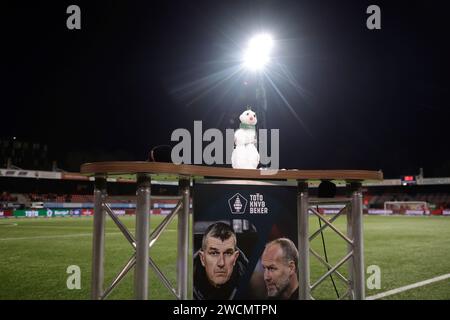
[{"x": 245, "y": 155}]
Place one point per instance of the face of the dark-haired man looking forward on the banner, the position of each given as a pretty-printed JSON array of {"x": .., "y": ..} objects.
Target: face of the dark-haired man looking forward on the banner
[{"x": 219, "y": 258}]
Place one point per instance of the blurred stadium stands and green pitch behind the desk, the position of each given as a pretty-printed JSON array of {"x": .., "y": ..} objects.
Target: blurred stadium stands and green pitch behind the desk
[{"x": 46, "y": 225}]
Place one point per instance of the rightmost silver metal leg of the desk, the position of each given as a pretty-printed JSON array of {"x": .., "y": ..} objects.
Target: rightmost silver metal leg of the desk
[{"x": 358, "y": 242}]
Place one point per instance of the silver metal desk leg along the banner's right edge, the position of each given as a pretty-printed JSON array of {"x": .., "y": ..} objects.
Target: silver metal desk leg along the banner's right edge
[{"x": 303, "y": 240}]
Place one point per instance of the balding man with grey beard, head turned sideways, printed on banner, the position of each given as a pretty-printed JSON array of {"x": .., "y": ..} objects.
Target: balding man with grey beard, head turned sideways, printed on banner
[{"x": 280, "y": 263}]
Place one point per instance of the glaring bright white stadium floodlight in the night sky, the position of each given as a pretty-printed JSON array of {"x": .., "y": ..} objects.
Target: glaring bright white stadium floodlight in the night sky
[{"x": 257, "y": 54}]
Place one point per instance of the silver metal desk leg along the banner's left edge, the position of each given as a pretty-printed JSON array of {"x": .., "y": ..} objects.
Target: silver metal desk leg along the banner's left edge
[{"x": 183, "y": 240}]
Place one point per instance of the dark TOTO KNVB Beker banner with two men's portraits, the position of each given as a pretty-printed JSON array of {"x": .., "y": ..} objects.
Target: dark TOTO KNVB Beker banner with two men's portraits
[{"x": 232, "y": 225}]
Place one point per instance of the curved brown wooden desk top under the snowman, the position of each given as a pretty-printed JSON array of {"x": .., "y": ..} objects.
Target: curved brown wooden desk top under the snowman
[{"x": 162, "y": 168}]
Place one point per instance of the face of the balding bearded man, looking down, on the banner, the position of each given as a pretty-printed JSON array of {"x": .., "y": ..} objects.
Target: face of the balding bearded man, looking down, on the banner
[{"x": 277, "y": 271}]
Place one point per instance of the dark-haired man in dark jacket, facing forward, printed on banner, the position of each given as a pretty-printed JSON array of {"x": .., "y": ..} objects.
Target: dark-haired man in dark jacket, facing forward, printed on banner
[{"x": 218, "y": 265}]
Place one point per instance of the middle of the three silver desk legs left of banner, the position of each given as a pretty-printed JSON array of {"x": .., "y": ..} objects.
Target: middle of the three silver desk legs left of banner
[{"x": 142, "y": 236}]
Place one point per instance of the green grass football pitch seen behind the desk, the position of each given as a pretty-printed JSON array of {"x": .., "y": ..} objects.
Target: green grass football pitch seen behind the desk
[{"x": 35, "y": 254}]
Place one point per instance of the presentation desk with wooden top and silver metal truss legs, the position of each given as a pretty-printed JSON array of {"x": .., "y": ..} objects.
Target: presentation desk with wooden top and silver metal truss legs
[{"x": 143, "y": 240}]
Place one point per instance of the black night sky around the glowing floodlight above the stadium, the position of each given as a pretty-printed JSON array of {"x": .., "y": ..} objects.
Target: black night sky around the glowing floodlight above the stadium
[{"x": 366, "y": 99}]
